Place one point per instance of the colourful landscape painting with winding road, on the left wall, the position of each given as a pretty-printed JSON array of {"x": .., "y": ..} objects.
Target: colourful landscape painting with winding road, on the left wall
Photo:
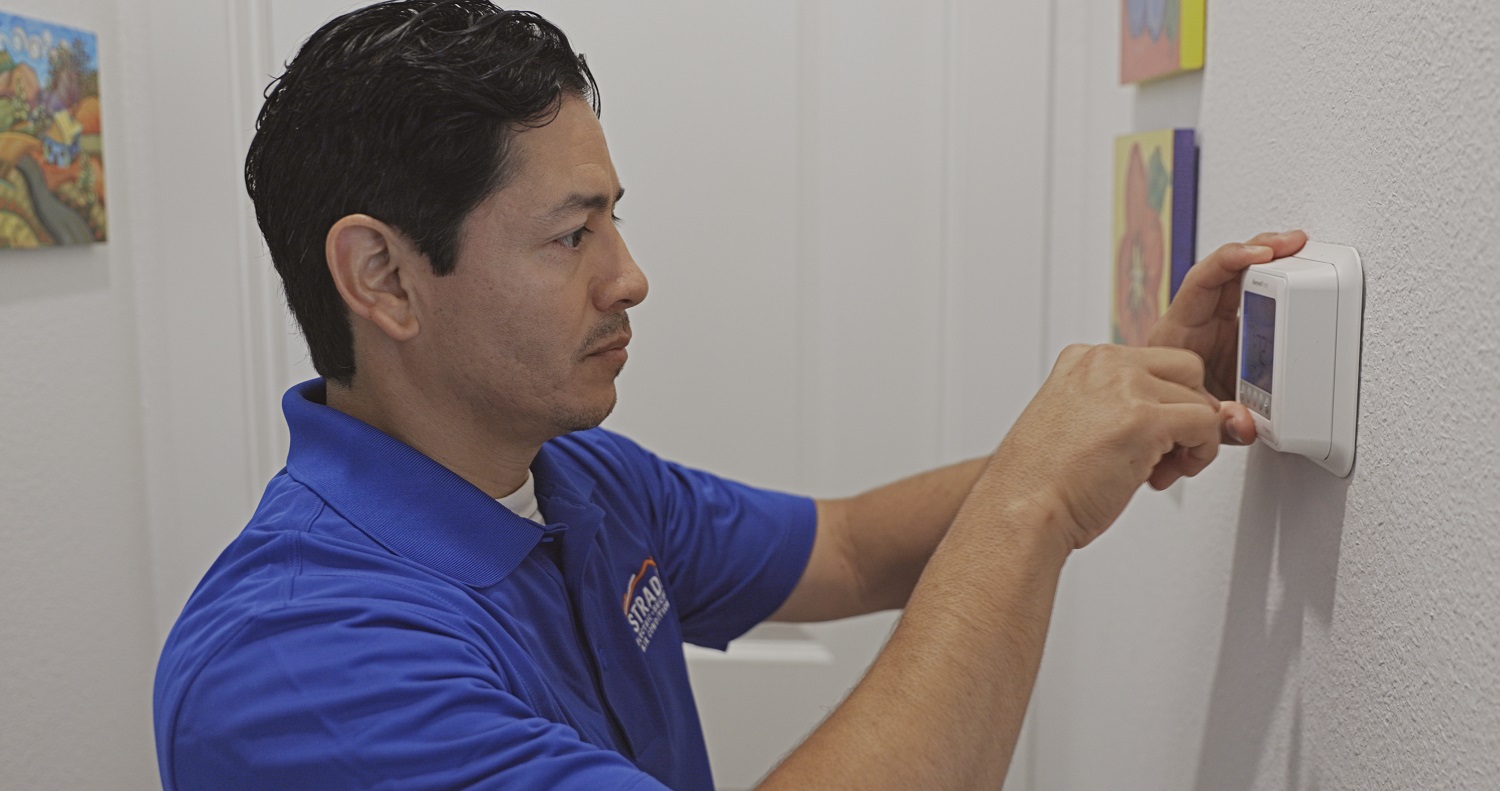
[{"x": 52, "y": 157}]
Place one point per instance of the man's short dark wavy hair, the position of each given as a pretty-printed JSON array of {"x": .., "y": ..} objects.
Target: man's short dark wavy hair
[{"x": 404, "y": 112}]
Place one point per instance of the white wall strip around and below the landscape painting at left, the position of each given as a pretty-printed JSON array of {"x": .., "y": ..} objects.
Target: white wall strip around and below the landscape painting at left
[{"x": 77, "y": 643}]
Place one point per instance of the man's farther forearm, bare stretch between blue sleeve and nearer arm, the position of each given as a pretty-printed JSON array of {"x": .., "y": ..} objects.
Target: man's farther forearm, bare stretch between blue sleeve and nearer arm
[{"x": 893, "y": 531}]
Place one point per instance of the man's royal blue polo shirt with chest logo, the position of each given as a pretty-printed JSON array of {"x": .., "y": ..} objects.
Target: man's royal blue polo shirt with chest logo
[{"x": 382, "y": 624}]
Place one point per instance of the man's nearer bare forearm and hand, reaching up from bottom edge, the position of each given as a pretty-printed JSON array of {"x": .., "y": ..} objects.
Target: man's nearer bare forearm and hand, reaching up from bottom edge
[{"x": 943, "y": 705}]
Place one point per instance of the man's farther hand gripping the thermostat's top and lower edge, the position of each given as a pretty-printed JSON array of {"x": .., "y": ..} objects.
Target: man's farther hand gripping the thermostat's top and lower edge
[{"x": 1205, "y": 319}]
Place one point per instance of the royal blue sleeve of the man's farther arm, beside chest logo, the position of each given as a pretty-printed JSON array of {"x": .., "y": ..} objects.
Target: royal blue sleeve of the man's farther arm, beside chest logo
[{"x": 731, "y": 553}]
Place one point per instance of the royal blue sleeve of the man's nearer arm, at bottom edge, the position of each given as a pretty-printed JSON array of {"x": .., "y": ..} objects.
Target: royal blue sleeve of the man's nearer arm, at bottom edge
[{"x": 350, "y": 696}]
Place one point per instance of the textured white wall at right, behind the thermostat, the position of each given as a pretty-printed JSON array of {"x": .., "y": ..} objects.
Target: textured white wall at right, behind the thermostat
[{"x": 1268, "y": 625}]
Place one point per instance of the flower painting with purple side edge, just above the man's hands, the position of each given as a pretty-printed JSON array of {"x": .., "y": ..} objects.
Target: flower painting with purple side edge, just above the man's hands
[{"x": 1156, "y": 223}]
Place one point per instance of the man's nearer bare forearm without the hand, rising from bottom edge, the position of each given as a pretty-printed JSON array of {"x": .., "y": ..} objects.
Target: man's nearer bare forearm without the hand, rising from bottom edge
[{"x": 944, "y": 703}]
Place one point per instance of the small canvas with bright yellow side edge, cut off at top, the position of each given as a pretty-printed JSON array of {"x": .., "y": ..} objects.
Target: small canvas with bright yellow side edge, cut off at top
[{"x": 1160, "y": 38}]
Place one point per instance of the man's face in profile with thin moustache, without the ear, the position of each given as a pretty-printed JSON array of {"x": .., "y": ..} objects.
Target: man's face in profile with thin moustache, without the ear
[{"x": 530, "y": 328}]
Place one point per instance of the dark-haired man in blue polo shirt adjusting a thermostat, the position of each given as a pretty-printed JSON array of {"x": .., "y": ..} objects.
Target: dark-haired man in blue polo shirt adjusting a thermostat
[{"x": 460, "y": 582}]
